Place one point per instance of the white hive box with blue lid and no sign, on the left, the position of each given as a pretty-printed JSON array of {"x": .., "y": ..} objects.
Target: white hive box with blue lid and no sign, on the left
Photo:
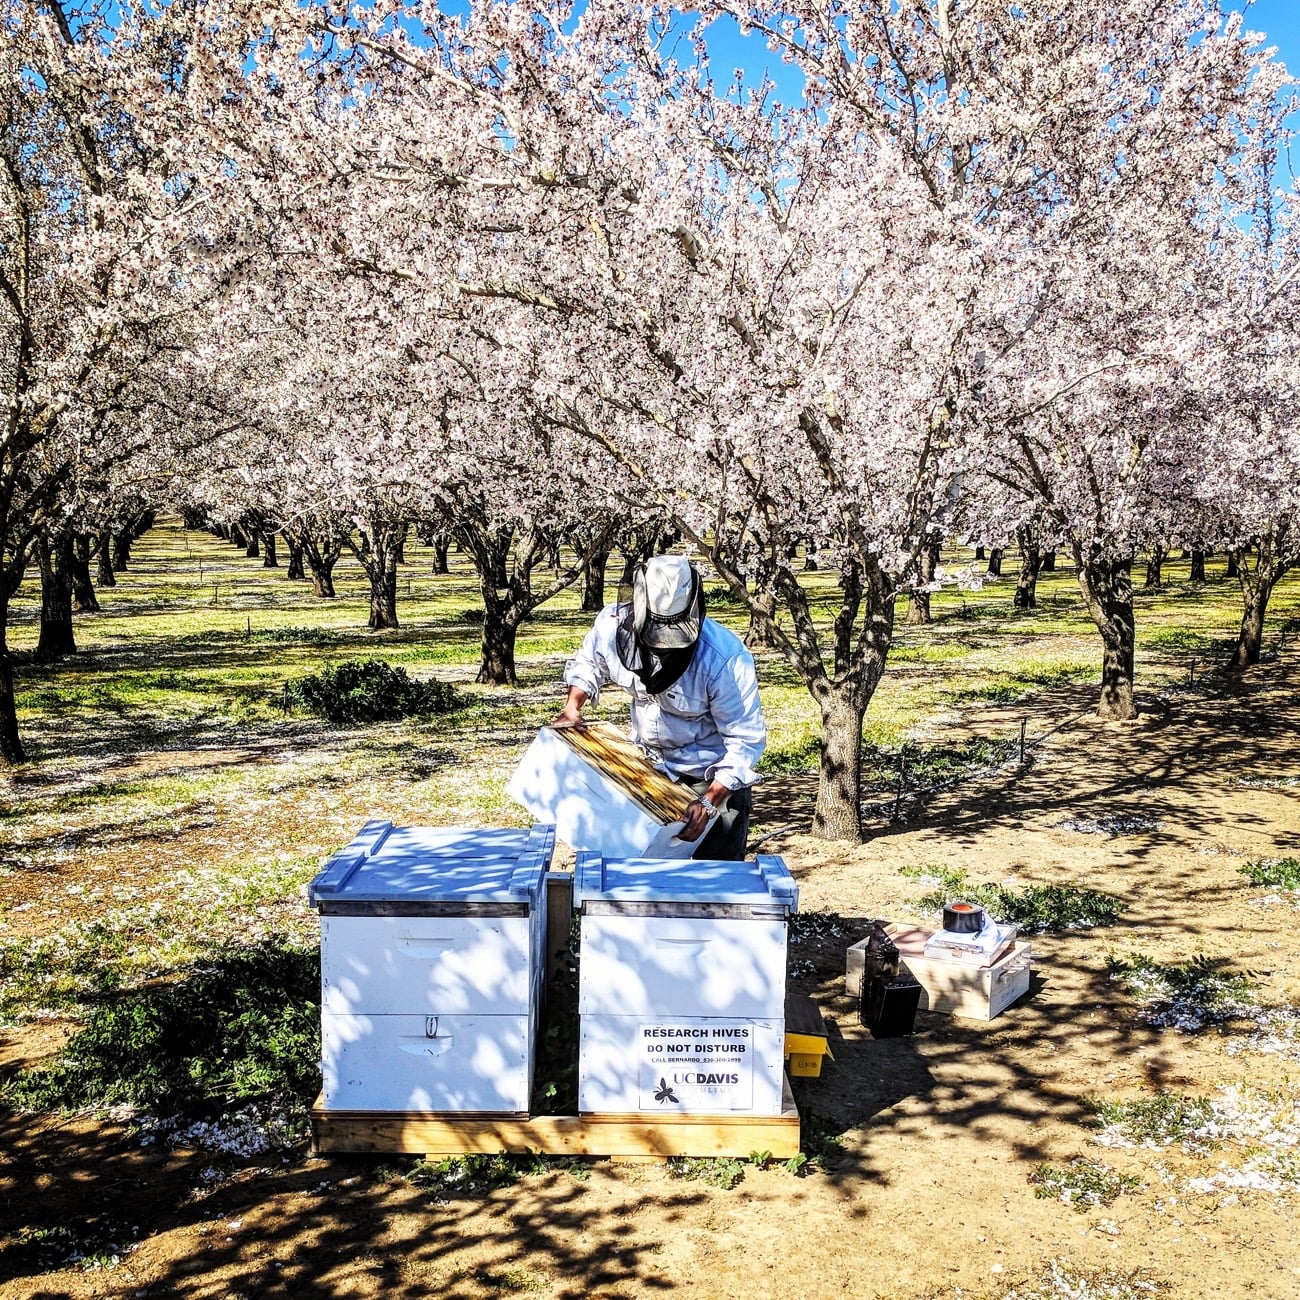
[{"x": 432, "y": 965}]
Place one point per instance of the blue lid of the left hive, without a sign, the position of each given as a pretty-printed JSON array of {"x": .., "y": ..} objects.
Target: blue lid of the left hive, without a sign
[{"x": 436, "y": 865}]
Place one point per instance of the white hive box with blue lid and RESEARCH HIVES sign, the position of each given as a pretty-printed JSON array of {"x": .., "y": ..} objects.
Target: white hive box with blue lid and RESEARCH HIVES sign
[{"x": 682, "y": 985}]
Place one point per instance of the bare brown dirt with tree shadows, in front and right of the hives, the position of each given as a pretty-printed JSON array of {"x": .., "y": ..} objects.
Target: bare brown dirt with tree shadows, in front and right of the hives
[{"x": 928, "y": 1190}]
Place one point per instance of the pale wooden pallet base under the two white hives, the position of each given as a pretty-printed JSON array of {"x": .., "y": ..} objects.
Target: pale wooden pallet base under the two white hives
[{"x": 623, "y": 1136}]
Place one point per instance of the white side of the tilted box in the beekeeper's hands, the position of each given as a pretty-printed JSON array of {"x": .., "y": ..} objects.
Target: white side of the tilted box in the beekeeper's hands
[{"x": 590, "y": 809}]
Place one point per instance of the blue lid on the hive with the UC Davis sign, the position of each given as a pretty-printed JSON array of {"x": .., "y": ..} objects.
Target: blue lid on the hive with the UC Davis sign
[{"x": 686, "y": 881}]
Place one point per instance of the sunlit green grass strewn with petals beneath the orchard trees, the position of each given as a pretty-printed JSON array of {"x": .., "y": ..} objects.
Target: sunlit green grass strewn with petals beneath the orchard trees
[{"x": 174, "y": 807}]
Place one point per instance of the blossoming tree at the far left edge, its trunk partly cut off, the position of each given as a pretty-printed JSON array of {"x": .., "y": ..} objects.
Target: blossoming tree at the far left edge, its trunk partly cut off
[{"x": 110, "y": 233}]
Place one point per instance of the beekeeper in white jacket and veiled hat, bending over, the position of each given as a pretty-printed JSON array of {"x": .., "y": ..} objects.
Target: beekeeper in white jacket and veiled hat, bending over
[{"x": 695, "y": 697}]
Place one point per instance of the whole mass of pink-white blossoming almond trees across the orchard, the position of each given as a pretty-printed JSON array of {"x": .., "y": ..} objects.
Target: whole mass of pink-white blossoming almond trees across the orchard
[{"x": 541, "y": 275}]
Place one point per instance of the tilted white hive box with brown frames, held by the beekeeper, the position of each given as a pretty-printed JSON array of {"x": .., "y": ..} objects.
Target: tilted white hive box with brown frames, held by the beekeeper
[{"x": 599, "y": 791}]
